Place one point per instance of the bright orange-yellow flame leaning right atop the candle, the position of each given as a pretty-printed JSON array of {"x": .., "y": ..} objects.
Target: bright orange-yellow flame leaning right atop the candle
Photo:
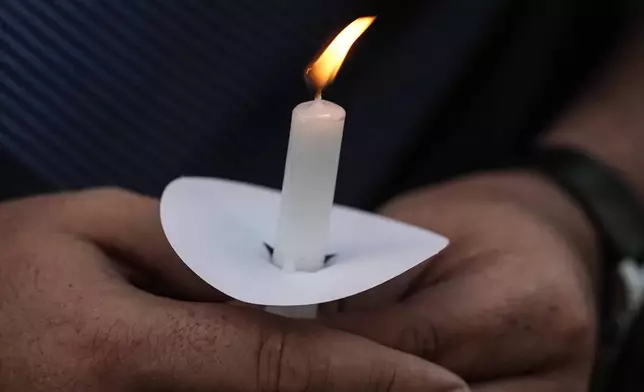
[{"x": 323, "y": 70}]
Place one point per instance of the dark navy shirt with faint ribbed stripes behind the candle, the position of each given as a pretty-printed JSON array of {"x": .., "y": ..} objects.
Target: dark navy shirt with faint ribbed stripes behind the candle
[{"x": 135, "y": 93}]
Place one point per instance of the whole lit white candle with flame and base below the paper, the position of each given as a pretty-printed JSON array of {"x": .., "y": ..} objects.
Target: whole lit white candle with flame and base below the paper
[{"x": 311, "y": 170}]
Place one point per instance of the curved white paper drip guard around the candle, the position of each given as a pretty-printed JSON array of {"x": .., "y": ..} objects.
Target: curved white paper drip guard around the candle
[{"x": 223, "y": 230}]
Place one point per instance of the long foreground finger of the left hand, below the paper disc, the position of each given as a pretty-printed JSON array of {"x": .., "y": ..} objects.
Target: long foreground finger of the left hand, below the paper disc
[{"x": 217, "y": 347}]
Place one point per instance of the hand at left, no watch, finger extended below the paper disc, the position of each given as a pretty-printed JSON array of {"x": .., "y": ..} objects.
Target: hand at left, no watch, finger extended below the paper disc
[{"x": 74, "y": 315}]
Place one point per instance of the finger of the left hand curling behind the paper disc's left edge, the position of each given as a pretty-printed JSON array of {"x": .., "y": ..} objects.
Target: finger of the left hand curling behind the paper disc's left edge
[{"x": 129, "y": 226}]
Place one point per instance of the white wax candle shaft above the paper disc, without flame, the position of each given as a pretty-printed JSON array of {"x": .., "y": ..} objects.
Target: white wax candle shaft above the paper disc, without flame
[{"x": 309, "y": 186}]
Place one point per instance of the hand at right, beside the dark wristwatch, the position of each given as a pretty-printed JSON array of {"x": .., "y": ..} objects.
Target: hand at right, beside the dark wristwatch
[{"x": 508, "y": 305}]
